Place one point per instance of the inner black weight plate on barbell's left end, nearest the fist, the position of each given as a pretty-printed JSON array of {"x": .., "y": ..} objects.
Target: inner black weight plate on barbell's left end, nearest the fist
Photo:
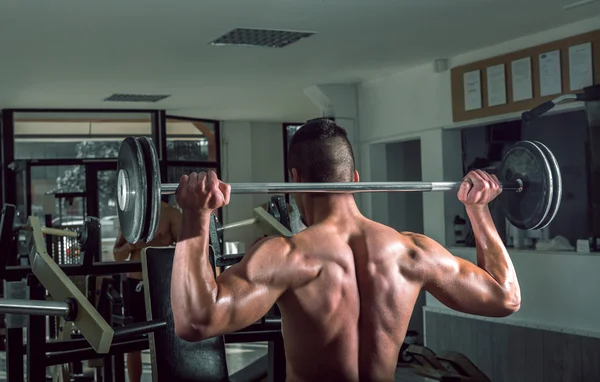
[{"x": 153, "y": 181}]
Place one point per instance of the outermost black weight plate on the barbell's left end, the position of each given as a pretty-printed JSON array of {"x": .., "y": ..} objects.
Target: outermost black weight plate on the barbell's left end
[{"x": 131, "y": 195}]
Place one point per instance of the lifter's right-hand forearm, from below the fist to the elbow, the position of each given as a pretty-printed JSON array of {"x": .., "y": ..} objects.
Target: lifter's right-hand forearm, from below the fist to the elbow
[{"x": 492, "y": 255}]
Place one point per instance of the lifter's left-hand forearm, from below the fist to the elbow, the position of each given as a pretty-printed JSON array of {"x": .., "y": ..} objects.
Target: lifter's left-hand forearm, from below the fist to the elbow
[{"x": 193, "y": 286}]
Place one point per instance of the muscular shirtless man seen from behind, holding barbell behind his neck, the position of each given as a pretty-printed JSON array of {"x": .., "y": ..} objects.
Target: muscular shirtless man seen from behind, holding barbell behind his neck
[{"x": 346, "y": 286}]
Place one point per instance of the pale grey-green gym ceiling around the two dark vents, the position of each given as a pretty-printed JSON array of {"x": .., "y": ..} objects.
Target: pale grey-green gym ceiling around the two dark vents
[{"x": 75, "y": 53}]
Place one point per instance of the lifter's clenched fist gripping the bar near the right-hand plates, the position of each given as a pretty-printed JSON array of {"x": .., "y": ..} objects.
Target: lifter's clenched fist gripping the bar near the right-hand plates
[{"x": 479, "y": 188}]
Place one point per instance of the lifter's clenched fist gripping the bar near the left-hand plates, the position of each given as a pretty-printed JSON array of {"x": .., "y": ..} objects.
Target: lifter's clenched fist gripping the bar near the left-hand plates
[{"x": 202, "y": 192}]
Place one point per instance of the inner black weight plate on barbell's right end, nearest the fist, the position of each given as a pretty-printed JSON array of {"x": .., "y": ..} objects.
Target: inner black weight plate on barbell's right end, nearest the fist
[{"x": 526, "y": 209}]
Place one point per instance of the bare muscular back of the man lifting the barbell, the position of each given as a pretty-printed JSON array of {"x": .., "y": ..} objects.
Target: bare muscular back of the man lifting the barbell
[{"x": 349, "y": 322}]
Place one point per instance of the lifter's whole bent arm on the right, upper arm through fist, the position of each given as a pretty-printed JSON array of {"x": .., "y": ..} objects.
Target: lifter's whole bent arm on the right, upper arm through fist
[{"x": 489, "y": 288}]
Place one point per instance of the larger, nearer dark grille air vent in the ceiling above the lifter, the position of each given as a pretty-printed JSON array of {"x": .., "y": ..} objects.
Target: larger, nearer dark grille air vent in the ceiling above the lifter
[{"x": 261, "y": 37}]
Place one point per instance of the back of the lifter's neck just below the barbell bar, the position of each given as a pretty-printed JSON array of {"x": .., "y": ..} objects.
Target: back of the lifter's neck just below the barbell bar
[{"x": 331, "y": 207}]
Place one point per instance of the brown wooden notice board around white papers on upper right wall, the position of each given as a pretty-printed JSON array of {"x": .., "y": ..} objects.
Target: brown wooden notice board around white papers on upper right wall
[{"x": 458, "y": 102}]
